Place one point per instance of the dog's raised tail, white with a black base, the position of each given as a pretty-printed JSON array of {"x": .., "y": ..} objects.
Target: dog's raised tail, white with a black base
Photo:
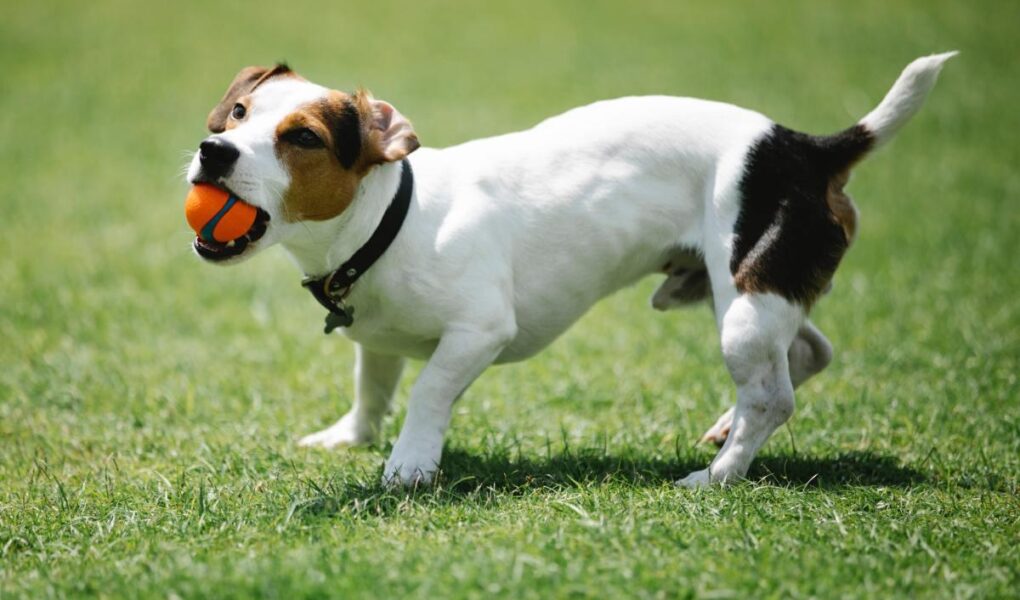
[{"x": 901, "y": 104}]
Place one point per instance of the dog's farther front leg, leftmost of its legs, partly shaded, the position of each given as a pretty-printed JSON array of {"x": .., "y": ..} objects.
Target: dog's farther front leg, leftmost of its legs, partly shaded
[{"x": 376, "y": 378}]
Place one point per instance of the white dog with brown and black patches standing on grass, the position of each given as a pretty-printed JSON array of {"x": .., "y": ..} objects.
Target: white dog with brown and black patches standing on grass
[{"x": 486, "y": 253}]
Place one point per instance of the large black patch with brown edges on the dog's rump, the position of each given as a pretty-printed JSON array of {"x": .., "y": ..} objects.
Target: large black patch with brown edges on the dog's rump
[{"x": 787, "y": 239}]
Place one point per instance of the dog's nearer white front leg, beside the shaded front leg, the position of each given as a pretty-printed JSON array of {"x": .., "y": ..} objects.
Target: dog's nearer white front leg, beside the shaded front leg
[{"x": 460, "y": 359}]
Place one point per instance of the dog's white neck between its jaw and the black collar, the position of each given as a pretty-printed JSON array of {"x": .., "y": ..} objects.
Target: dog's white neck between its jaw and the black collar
[{"x": 322, "y": 247}]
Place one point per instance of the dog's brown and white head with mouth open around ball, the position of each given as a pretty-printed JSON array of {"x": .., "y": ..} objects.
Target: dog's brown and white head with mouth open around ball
[{"x": 295, "y": 151}]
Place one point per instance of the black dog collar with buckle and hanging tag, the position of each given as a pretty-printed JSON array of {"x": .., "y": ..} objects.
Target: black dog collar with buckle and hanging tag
[{"x": 333, "y": 288}]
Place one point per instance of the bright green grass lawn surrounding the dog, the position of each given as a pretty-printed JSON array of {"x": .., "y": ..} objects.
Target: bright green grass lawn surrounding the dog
[{"x": 149, "y": 405}]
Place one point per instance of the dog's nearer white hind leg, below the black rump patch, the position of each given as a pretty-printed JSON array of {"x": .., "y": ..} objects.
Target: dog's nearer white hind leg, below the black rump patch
[{"x": 757, "y": 331}]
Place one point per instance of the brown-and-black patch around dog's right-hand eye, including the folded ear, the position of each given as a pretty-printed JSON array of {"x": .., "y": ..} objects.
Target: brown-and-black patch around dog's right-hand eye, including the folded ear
[{"x": 354, "y": 134}]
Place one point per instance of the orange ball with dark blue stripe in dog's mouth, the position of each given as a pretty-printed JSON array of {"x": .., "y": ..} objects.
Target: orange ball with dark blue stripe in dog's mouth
[{"x": 217, "y": 216}]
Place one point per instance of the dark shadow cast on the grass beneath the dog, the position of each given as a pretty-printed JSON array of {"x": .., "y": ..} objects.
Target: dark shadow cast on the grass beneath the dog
[{"x": 488, "y": 479}]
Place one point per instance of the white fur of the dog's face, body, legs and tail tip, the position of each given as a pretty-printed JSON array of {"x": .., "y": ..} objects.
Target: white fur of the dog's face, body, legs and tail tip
[{"x": 509, "y": 240}]
